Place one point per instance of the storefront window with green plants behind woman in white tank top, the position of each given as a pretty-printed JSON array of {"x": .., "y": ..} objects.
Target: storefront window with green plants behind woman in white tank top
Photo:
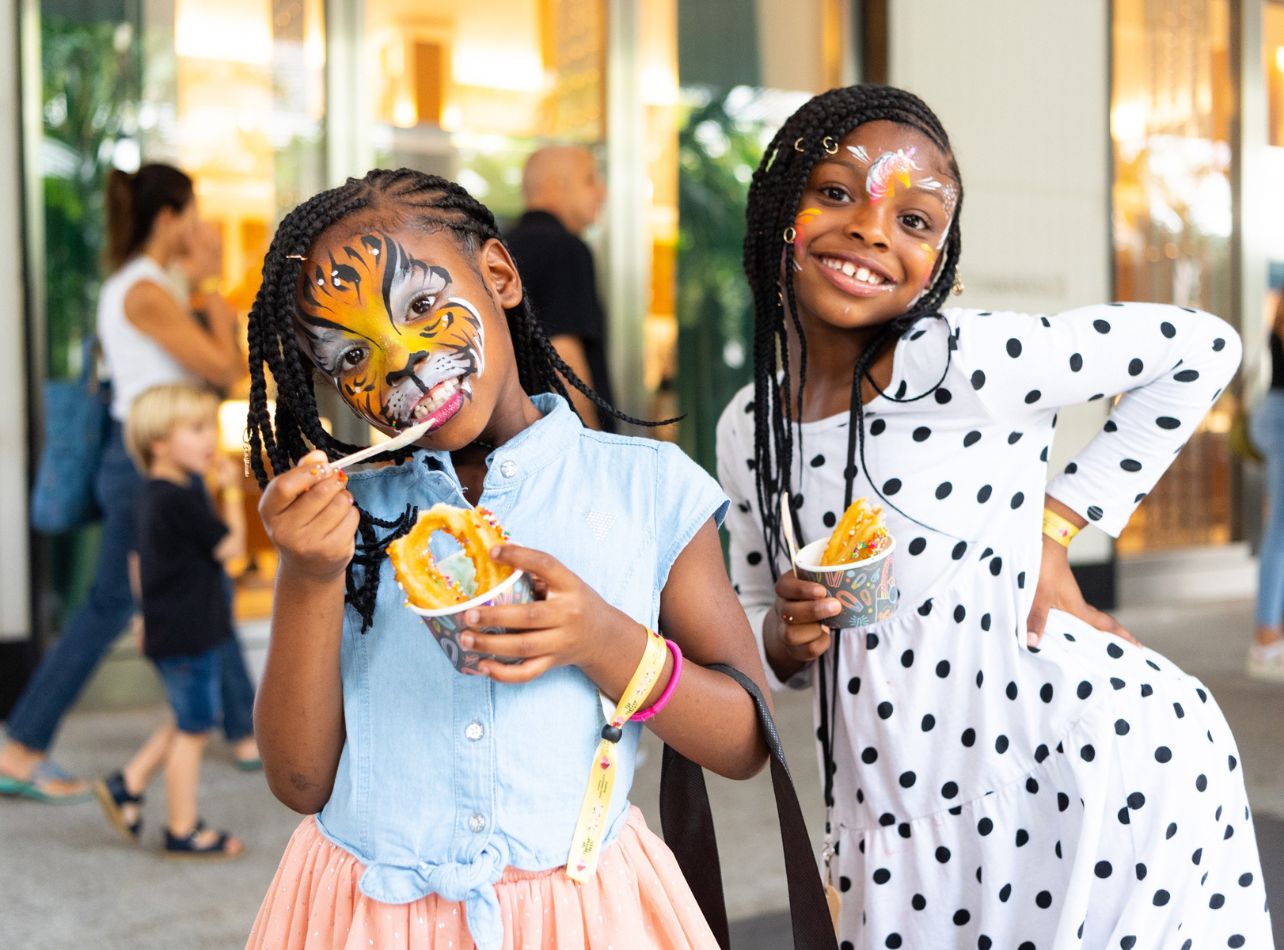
[{"x": 229, "y": 91}]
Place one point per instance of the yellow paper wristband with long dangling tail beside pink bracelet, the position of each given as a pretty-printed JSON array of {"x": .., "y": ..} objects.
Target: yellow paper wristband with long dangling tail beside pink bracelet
[{"x": 582, "y": 862}]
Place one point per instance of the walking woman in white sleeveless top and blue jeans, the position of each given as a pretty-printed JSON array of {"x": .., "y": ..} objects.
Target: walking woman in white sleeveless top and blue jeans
[{"x": 150, "y": 337}]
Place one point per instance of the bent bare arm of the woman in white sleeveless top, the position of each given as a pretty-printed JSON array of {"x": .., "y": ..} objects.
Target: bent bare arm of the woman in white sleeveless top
[{"x": 214, "y": 355}]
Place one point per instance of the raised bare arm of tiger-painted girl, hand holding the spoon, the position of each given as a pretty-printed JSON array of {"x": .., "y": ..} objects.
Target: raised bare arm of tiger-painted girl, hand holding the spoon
[{"x": 299, "y": 712}]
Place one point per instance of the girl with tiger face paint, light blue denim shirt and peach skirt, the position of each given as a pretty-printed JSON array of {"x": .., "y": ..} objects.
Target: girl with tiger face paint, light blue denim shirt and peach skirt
[{"x": 431, "y": 788}]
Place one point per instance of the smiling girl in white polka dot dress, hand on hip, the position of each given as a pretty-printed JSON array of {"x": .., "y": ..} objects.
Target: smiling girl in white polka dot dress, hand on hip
[{"x": 987, "y": 786}]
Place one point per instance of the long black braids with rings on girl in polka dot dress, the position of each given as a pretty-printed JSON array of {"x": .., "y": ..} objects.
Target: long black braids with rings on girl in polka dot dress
[{"x": 774, "y": 201}]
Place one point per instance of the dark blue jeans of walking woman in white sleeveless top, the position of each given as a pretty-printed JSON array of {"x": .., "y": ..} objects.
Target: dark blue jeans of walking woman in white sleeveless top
[{"x": 69, "y": 664}]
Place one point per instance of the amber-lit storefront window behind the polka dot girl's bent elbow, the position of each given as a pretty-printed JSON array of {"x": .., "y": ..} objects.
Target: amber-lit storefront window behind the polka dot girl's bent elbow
[{"x": 1172, "y": 103}]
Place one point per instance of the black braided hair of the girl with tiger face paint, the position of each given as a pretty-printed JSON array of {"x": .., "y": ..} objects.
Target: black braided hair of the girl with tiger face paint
[{"x": 279, "y": 441}]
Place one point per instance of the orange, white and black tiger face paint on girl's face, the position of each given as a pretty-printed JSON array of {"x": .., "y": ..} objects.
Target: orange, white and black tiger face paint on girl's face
[{"x": 388, "y": 332}]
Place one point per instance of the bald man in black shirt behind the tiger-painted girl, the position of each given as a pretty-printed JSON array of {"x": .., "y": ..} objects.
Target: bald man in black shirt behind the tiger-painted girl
[{"x": 564, "y": 194}]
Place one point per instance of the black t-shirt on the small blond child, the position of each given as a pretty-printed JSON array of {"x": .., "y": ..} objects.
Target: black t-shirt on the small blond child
[{"x": 186, "y": 608}]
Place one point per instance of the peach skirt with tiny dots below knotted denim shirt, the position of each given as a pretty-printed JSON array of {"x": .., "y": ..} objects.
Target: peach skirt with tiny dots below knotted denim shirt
[{"x": 639, "y": 901}]
